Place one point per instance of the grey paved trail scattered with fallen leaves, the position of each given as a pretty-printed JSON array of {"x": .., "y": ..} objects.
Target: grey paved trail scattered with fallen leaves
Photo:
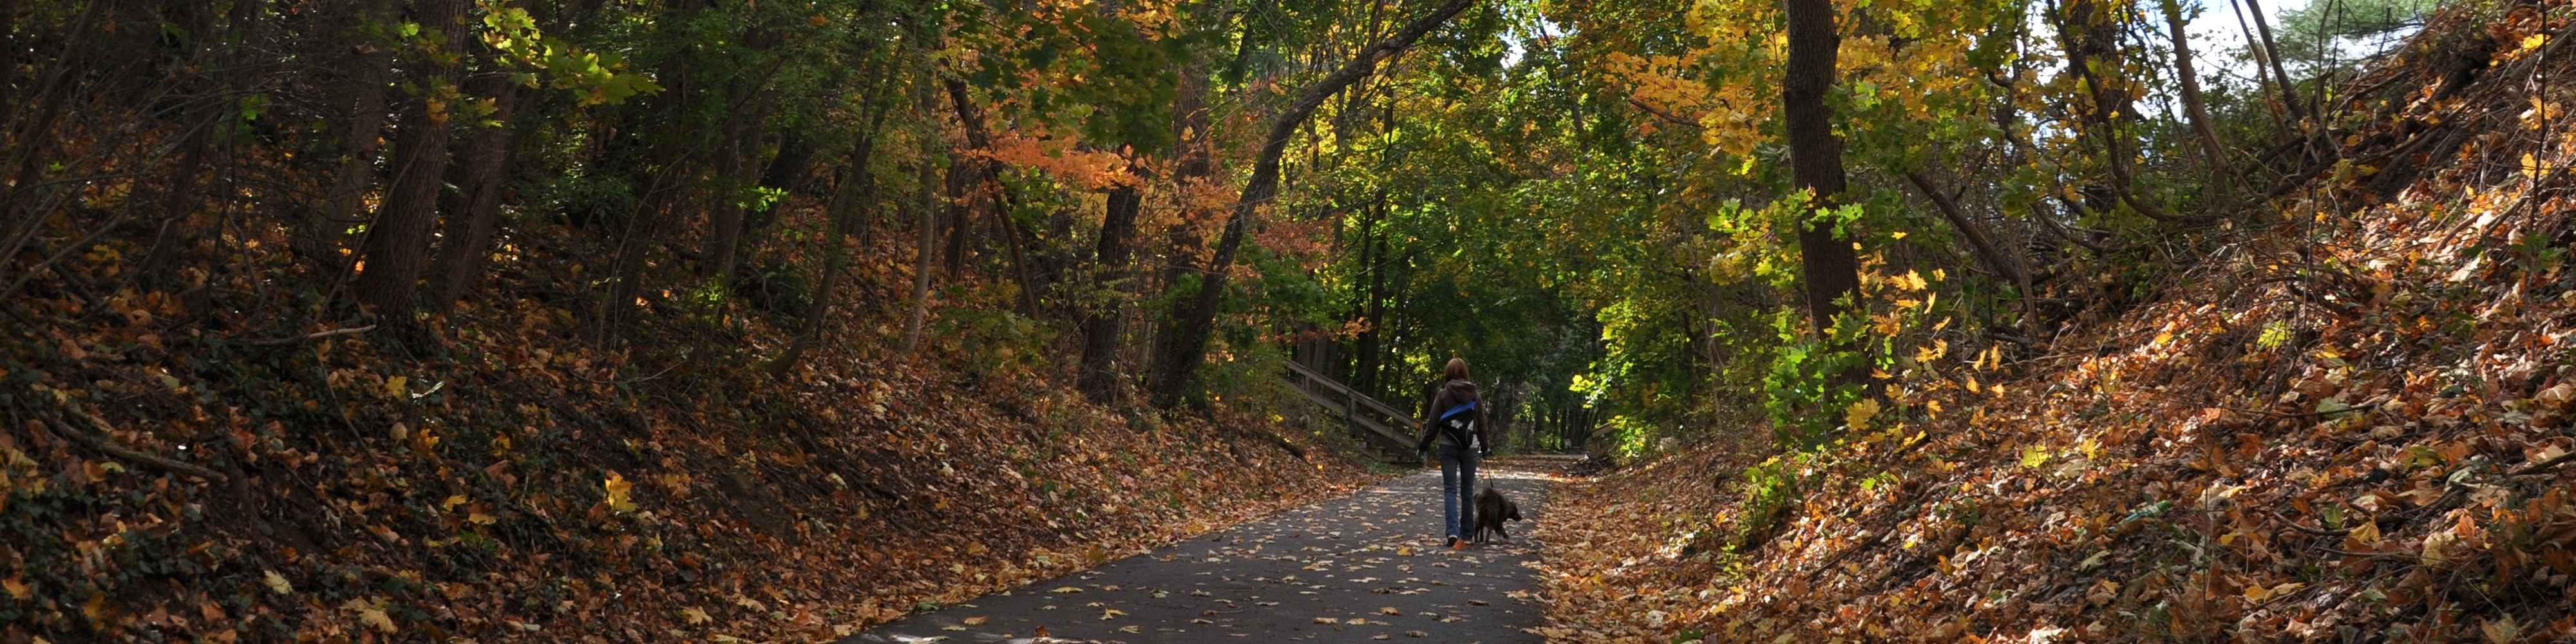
[{"x": 1369, "y": 565}]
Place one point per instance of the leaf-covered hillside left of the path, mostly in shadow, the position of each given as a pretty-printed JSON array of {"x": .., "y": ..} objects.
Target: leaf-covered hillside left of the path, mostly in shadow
[{"x": 194, "y": 470}]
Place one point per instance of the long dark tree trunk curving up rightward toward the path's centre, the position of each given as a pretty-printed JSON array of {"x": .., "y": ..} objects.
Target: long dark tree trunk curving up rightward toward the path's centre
[{"x": 1197, "y": 316}]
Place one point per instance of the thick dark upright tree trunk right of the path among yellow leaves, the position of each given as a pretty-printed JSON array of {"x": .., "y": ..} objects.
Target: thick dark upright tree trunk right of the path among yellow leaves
[{"x": 1828, "y": 259}]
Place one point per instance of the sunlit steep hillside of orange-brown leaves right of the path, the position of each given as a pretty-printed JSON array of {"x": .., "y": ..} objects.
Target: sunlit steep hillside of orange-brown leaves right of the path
[{"x": 2351, "y": 424}]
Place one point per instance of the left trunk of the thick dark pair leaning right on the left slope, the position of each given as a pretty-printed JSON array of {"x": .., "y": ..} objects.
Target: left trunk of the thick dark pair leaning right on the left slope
[{"x": 398, "y": 246}]
